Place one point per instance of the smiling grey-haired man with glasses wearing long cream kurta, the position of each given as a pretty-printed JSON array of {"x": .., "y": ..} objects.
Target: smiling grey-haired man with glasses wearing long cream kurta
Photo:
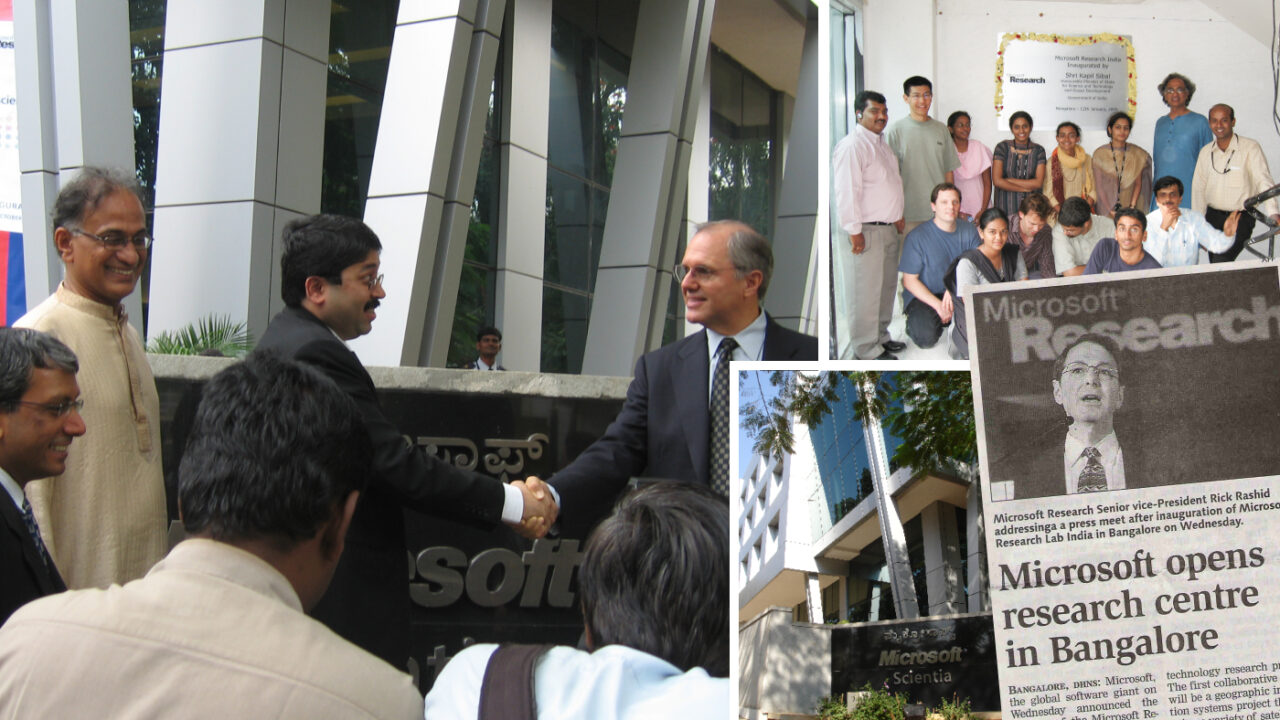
[{"x": 104, "y": 520}]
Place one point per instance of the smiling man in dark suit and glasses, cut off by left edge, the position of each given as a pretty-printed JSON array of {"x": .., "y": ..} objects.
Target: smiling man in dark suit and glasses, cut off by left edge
[{"x": 39, "y": 418}]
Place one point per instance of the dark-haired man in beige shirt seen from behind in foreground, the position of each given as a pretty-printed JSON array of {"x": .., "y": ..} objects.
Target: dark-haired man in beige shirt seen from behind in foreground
[{"x": 269, "y": 481}]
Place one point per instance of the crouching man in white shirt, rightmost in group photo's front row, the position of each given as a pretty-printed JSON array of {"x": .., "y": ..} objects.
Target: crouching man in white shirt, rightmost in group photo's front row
[{"x": 1176, "y": 234}]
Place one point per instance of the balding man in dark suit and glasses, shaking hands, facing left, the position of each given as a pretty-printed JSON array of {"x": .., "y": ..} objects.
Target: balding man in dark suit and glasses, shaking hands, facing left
[{"x": 665, "y": 429}]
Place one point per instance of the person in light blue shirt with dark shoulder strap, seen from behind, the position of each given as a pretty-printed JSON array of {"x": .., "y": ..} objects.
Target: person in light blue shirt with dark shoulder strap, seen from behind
[{"x": 657, "y": 628}]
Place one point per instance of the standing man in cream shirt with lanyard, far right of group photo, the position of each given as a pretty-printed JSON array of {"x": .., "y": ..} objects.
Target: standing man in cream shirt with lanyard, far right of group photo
[{"x": 1228, "y": 172}]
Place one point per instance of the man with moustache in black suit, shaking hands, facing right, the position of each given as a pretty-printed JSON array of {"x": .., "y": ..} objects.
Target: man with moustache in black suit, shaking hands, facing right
[{"x": 332, "y": 289}]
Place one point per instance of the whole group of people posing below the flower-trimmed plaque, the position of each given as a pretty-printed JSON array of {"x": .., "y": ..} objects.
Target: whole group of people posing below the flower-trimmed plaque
[{"x": 1023, "y": 213}]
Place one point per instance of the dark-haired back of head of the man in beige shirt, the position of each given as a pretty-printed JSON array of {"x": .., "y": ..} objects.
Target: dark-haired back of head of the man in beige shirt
[{"x": 275, "y": 455}]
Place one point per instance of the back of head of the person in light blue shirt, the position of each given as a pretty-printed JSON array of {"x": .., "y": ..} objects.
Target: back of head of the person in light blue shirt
[{"x": 656, "y": 577}]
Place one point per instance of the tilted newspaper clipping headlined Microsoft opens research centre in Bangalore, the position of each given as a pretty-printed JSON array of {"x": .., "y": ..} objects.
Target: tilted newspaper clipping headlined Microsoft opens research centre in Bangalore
[{"x": 1130, "y": 438}]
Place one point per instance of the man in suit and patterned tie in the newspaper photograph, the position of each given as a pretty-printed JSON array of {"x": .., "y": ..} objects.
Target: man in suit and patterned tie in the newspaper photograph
[{"x": 1090, "y": 459}]
